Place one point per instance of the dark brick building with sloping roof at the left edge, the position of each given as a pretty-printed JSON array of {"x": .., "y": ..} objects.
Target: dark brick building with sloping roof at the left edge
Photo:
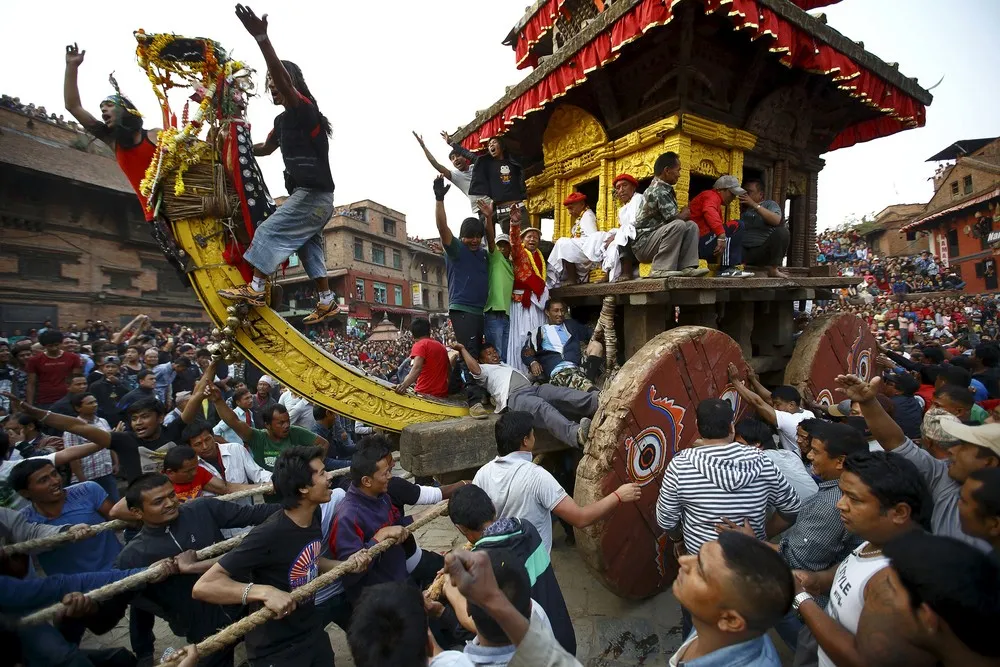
[{"x": 74, "y": 242}]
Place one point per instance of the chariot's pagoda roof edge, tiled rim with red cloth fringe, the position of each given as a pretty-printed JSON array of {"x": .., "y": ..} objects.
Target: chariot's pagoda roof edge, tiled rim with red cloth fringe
[{"x": 799, "y": 41}]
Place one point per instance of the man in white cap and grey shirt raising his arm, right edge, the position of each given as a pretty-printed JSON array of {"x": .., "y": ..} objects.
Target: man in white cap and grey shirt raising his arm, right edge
[{"x": 978, "y": 447}]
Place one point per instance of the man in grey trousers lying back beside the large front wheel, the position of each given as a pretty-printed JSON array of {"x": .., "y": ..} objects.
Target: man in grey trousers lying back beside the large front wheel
[{"x": 563, "y": 412}]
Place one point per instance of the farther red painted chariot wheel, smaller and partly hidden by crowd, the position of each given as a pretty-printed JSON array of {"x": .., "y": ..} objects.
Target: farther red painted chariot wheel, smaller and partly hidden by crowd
[{"x": 832, "y": 345}]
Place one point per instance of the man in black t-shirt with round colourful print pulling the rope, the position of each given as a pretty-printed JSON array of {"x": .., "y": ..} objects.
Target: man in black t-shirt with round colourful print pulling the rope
[{"x": 274, "y": 559}]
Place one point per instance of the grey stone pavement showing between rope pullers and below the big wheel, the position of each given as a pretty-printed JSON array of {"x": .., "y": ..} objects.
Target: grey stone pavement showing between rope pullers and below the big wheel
[{"x": 610, "y": 632}]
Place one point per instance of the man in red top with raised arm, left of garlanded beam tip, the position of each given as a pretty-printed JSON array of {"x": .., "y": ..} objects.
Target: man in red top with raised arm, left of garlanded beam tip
[{"x": 120, "y": 126}]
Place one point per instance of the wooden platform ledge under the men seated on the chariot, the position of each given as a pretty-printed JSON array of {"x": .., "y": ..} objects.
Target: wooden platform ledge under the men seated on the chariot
[{"x": 693, "y": 291}]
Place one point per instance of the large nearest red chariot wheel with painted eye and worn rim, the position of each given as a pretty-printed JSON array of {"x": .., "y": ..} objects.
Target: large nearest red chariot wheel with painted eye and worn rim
[{"x": 647, "y": 414}]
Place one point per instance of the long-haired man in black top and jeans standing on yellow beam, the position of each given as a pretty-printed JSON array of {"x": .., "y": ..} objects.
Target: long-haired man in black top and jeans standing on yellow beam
[{"x": 302, "y": 133}]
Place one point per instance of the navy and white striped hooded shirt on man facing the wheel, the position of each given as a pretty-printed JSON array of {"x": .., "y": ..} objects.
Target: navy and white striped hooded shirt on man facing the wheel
[{"x": 704, "y": 485}]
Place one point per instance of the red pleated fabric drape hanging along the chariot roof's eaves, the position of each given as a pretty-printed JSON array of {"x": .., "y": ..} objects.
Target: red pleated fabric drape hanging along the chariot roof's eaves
[{"x": 795, "y": 48}]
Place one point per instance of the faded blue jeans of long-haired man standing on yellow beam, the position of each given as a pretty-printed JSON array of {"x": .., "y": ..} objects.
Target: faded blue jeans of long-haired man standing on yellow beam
[{"x": 297, "y": 226}]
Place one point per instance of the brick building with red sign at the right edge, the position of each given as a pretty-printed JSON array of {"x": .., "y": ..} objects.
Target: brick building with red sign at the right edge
[{"x": 964, "y": 210}]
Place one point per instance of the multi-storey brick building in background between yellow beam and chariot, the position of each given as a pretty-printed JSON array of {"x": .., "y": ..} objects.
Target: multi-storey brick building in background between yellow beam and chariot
[{"x": 375, "y": 268}]
